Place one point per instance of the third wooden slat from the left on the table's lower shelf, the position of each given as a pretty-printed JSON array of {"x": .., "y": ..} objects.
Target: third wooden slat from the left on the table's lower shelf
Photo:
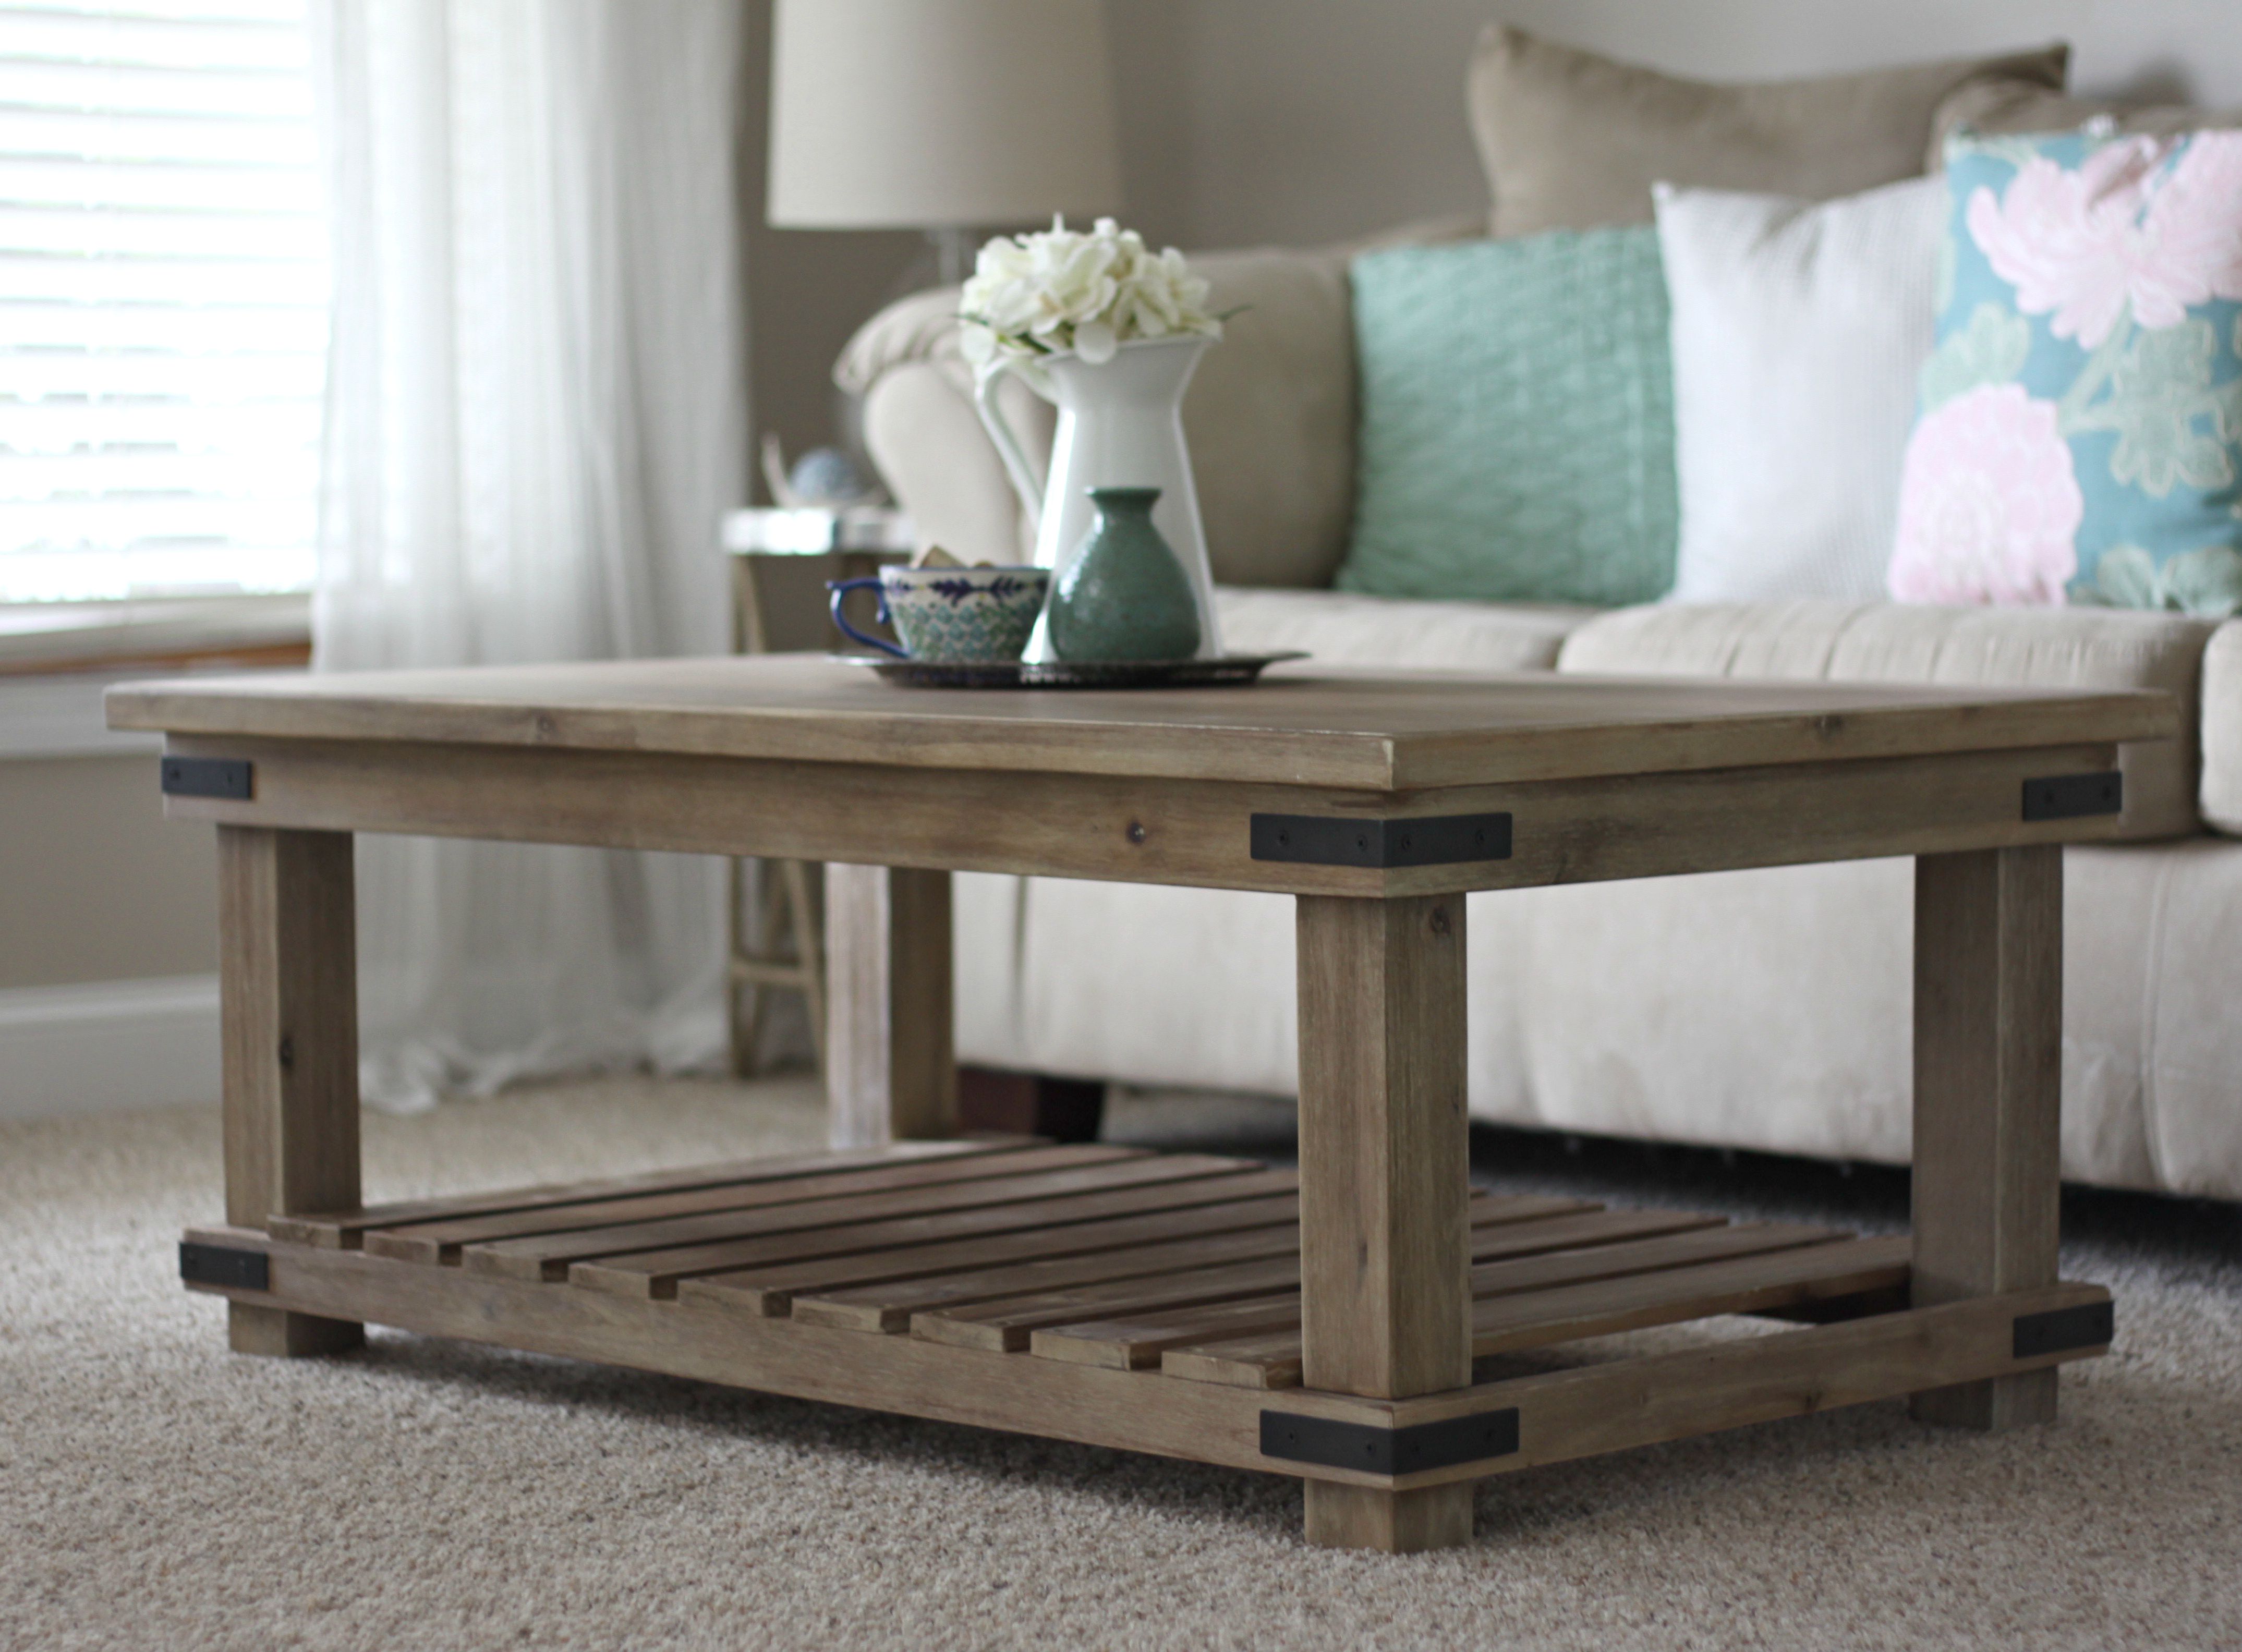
[{"x": 550, "y": 1256}]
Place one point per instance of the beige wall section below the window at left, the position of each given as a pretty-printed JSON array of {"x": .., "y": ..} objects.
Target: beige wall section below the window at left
[{"x": 95, "y": 884}]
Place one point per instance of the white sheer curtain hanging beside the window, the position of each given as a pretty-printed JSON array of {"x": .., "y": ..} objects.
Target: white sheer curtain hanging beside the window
[{"x": 535, "y": 420}]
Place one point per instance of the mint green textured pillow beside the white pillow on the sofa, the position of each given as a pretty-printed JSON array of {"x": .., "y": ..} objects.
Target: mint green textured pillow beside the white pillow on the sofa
[{"x": 1517, "y": 423}]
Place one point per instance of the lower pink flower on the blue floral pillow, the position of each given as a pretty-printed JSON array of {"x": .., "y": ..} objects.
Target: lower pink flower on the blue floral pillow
[{"x": 1988, "y": 503}]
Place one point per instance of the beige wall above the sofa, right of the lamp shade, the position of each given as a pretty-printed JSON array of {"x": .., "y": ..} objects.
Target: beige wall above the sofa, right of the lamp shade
[{"x": 1299, "y": 122}]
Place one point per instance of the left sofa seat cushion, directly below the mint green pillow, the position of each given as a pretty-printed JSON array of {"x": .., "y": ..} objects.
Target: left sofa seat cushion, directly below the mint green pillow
[{"x": 1340, "y": 629}]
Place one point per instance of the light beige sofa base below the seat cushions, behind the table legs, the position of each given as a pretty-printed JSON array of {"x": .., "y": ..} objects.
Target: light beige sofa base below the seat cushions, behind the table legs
[{"x": 1752, "y": 1010}]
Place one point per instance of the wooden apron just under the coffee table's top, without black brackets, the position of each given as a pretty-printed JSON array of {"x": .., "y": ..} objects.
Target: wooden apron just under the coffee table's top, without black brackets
[{"x": 1142, "y": 830}]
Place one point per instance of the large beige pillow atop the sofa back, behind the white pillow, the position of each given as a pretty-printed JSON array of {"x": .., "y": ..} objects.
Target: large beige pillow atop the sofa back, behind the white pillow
[{"x": 1573, "y": 140}]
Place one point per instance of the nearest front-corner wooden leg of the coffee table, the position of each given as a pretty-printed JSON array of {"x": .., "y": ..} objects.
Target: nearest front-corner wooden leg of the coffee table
[{"x": 1384, "y": 1187}]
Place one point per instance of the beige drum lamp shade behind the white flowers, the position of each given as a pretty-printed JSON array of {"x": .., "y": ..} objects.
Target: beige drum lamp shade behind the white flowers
[{"x": 941, "y": 113}]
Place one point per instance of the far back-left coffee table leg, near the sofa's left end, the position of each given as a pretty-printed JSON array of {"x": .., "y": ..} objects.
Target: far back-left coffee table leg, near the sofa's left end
[{"x": 891, "y": 1073}]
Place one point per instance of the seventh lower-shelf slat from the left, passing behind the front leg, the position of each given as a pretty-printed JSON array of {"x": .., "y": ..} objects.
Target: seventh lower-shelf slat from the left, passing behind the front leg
[{"x": 1008, "y": 1321}]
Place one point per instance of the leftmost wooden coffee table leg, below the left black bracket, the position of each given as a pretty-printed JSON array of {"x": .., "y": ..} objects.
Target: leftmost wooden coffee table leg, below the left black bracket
[{"x": 288, "y": 978}]
